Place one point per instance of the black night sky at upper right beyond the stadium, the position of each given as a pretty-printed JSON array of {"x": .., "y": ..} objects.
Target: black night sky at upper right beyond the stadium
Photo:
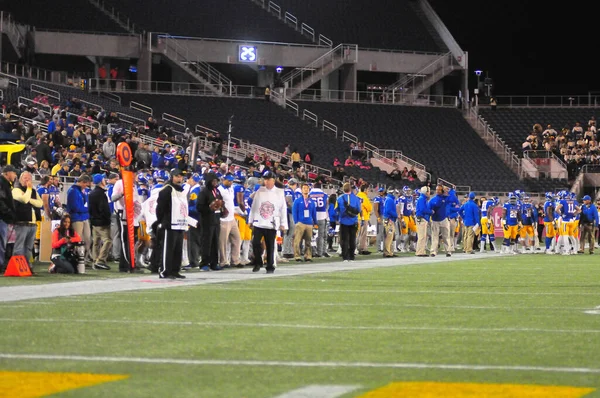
[{"x": 528, "y": 47}]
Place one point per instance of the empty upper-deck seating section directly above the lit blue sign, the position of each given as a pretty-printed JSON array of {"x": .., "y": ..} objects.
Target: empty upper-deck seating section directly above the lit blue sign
[{"x": 224, "y": 19}]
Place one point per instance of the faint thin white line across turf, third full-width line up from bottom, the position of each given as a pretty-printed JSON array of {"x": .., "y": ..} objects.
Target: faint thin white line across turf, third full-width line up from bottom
[{"x": 319, "y": 304}]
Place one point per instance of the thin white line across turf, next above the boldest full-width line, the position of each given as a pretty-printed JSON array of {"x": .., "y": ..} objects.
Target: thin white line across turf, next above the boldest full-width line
[{"x": 306, "y": 326}]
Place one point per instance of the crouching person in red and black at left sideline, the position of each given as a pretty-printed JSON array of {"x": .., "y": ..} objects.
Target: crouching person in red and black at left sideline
[{"x": 65, "y": 241}]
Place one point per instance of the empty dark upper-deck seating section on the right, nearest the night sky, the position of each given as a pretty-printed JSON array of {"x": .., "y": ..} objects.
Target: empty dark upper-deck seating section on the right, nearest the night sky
[{"x": 368, "y": 24}]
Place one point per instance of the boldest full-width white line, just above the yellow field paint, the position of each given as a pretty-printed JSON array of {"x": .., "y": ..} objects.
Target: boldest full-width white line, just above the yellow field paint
[{"x": 298, "y": 364}]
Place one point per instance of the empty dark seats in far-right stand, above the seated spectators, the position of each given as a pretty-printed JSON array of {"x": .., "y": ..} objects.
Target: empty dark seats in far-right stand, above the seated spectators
[{"x": 513, "y": 125}]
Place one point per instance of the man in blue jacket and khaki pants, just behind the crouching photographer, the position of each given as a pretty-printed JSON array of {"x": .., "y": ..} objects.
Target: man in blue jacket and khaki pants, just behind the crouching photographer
[{"x": 78, "y": 208}]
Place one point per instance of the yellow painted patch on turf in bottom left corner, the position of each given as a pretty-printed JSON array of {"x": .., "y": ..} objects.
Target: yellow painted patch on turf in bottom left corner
[{"x": 40, "y": 384}]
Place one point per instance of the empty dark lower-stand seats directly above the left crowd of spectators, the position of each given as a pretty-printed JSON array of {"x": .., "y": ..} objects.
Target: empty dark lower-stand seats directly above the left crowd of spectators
[{"x": 262, "y": 123}]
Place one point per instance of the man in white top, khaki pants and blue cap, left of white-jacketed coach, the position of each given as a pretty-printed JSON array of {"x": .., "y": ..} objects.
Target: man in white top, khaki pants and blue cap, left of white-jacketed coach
[{"x": 229, "y": 235}]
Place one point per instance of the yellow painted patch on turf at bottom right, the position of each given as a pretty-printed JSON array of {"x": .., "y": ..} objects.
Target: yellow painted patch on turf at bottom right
[{"x": 472, "y": 390}]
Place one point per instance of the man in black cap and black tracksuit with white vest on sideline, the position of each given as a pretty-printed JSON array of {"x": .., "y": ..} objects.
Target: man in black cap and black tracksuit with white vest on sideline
[{"x": 171, "y": 214}]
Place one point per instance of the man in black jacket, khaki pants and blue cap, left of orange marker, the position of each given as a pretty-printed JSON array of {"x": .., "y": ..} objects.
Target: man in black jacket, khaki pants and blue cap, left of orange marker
[{"x": 100, "y": 217}]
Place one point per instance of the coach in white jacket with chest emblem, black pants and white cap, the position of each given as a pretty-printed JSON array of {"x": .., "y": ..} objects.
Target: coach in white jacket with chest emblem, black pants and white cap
[{"x": 267, "y": 215}]
